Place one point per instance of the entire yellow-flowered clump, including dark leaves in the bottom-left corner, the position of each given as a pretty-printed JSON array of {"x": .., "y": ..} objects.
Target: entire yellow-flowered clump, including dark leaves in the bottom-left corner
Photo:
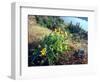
[{"x": 51, "y": 47}]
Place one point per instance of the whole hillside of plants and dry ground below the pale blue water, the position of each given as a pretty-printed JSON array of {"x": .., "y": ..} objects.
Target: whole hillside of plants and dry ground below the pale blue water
[{"x": 58, "y": 43}]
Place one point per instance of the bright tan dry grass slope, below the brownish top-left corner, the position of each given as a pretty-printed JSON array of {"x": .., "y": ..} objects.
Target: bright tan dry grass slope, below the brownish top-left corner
[{"x": 36, "y": 33}]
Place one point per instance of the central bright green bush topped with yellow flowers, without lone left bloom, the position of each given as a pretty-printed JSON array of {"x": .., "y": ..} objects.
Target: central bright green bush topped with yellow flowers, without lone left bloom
[{"x": 55, "y": 44}]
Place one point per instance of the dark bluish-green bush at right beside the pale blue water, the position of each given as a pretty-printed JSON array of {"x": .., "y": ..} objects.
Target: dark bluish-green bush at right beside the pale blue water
[{"x": 77, "y": 32}]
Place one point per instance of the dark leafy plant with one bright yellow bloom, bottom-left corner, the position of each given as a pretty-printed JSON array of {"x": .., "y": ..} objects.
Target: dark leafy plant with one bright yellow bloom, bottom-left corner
[{"x": 38, "y": 57}]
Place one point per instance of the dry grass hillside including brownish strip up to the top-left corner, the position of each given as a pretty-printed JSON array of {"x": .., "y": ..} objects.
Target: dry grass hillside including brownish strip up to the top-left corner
[{"x": 35, "y": 32}]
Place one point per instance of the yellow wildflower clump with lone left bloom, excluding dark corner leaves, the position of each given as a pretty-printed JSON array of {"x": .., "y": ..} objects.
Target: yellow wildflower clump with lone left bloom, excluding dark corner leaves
[{"x": 52, "y": 46}]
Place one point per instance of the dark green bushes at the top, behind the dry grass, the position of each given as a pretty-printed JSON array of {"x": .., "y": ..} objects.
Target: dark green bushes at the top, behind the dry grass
[{"x": 50, "y": 22}]
